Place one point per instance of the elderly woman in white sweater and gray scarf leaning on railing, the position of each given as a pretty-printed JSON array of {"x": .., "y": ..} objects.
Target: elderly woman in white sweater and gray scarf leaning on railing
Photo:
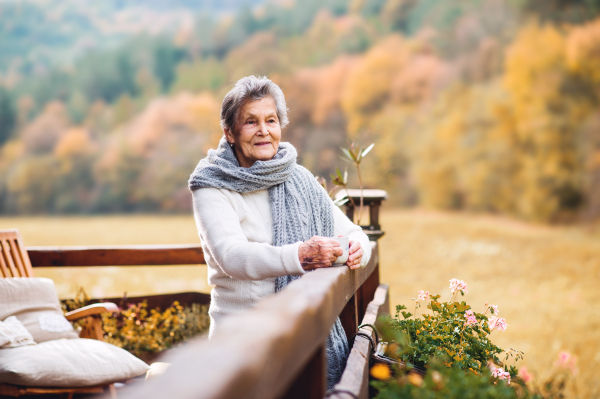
[{"x": 263, "y": 219}]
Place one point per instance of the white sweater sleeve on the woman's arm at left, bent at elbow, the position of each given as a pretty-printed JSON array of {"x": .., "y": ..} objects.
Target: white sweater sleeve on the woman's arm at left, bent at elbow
[{"x": 221, "y": 232}]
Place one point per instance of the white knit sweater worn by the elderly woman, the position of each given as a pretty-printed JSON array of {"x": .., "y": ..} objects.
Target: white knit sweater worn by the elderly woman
[{"x": 236, "y": 234}]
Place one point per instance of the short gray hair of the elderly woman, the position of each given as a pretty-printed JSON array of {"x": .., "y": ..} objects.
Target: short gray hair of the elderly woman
[{"x": 251, "y": 88}]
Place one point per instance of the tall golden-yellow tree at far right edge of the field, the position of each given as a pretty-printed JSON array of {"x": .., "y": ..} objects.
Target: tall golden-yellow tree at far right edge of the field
[{"x": 546, "y": 122}]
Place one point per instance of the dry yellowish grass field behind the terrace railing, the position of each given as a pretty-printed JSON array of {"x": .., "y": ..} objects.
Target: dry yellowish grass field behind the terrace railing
[{"x": 545, "y": 281}]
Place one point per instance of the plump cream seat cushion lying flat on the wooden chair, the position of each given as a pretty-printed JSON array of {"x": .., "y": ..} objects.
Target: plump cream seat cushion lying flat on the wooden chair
[{"x": 68, "y": 363}]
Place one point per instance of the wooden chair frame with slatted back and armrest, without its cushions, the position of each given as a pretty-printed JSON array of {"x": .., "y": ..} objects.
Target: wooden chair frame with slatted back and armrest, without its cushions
[{"x": 14, "y": 262}]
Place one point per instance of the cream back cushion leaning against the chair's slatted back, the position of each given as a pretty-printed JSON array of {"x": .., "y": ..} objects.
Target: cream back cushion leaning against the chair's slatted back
[{"x": 33, "y": 300}]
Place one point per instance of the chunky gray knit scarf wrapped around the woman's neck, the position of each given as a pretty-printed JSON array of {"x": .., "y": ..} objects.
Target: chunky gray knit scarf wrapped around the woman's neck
[{"x": 300, "y": 209}]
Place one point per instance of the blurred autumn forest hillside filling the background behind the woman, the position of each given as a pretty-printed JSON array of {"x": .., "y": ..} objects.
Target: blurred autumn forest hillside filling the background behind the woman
[{"x": 488, "y": 106}]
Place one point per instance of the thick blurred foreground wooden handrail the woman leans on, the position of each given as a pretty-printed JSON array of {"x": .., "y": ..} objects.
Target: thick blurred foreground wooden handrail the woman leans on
[{"x": 259, "y": 353}]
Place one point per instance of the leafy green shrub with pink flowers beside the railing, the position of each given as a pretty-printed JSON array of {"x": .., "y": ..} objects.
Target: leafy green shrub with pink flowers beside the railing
[{"x": 453, "y": 343}]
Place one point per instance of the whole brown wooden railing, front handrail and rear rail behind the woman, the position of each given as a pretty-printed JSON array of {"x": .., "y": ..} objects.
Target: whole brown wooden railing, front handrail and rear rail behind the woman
[{"x": 274, "y": 350}]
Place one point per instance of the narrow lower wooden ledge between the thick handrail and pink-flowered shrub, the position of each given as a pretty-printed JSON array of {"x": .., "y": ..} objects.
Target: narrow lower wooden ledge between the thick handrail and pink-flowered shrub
[{"x": 356, "y": 375}]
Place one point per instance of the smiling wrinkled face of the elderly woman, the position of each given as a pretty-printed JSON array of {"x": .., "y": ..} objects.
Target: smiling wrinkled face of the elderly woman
[{"x": 257, "y": 133}]
